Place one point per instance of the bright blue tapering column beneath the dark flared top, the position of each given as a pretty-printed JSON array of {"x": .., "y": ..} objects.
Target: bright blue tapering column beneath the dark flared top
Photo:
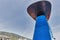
[{"x": 41, "y": 29}]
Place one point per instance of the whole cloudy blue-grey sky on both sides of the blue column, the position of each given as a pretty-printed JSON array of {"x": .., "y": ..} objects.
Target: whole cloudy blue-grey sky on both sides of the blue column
[{"x": 15, "y": 19}]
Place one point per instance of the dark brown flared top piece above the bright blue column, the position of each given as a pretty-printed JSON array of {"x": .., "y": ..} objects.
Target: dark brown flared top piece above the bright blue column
[{"x": 39, "y": 8}]
